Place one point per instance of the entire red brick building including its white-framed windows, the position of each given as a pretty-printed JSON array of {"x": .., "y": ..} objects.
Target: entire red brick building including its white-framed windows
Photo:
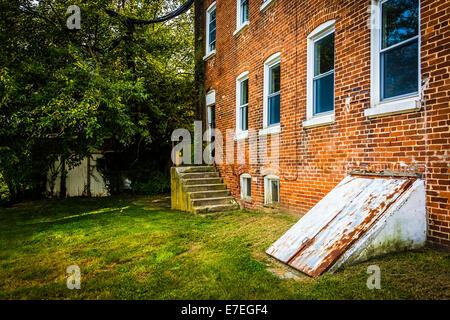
[{"x": 344, "y": 84}]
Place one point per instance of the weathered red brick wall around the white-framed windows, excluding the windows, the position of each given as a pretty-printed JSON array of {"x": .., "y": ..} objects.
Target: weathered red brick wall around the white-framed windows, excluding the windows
[{"x": 313, "y": 161}]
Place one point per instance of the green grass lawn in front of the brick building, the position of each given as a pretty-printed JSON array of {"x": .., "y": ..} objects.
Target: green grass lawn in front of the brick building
[{"x": 136, "y": 248}]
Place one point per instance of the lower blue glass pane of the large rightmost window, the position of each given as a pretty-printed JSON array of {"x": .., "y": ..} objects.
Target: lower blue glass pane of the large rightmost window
[{"x": 400, "y": 70}]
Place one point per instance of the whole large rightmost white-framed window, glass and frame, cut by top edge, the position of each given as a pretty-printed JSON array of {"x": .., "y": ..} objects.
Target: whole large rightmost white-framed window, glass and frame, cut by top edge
[{"x": 395, "y": 57}]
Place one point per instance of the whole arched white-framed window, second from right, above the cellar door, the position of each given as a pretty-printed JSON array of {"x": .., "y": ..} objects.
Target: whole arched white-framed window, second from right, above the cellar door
[{"x": 320, "y": 76}]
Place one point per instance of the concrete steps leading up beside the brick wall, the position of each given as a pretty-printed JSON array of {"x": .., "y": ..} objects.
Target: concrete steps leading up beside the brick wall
[{"x": 200, "y": 190}]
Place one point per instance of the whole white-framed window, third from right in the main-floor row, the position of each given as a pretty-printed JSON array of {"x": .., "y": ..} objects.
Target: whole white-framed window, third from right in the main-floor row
[{"x": 272, "y": 93}]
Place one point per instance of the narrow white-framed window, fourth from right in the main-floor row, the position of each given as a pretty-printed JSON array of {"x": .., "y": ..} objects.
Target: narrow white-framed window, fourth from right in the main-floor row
[{"x": 242, "y": 105}]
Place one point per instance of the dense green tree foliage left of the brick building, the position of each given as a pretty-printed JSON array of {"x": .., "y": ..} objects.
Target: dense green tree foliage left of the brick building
[{"x": 66, "y": 94}]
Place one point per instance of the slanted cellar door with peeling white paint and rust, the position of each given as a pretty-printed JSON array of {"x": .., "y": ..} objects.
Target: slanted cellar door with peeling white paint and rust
[{"x": 343, "y": 216}]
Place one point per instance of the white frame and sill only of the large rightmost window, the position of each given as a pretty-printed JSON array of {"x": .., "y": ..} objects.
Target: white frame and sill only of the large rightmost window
[{"x": 396, "y": 105}]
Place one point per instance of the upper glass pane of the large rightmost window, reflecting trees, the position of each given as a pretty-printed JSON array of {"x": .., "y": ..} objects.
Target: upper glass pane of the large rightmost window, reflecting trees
[{"x": 400, "y": 21}]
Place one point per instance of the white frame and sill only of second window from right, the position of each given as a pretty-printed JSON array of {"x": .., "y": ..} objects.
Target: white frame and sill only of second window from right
[{"x": 325, "y": 118}]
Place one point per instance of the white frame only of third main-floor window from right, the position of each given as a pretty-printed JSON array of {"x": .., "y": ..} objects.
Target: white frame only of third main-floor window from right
[{"x": 268, "y": 64}]
